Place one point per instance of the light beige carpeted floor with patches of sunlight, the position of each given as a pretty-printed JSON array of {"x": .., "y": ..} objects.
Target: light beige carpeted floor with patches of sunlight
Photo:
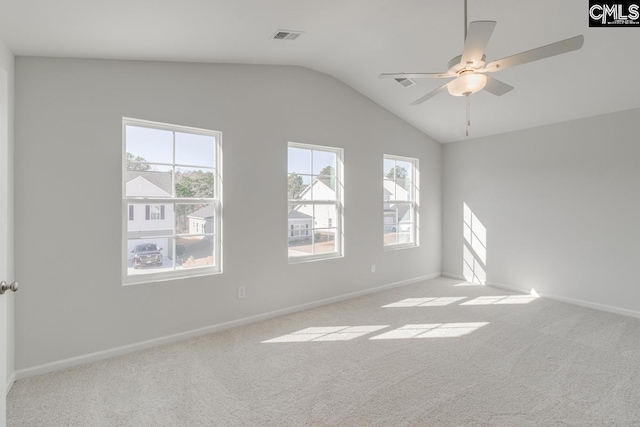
[{"x": 437, "y": 353}]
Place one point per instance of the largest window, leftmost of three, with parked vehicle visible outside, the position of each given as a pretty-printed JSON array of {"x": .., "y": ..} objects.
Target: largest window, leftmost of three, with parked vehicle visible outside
[{"x": 171, "y": 200}]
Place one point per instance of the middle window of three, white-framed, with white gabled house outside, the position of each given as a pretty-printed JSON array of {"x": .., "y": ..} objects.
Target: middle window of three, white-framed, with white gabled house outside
[{"x": 315, "y": 202}]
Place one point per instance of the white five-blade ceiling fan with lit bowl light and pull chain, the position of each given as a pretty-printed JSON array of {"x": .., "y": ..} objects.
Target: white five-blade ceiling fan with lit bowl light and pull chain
[{"x": 469, "y": 70}]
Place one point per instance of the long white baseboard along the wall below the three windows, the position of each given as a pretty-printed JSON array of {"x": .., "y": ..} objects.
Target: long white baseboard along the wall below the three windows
[{"x": 130, "y": 348}]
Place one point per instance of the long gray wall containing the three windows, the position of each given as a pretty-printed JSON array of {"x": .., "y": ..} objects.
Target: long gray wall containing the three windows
[{"x": 68, "y": 197}]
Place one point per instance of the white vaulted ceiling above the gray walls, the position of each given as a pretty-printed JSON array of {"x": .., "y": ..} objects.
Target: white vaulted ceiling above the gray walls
[{"x": 355, "y": 40}]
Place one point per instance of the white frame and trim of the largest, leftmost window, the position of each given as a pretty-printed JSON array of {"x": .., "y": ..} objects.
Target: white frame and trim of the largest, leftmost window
[{"x": 216, "y": 201}]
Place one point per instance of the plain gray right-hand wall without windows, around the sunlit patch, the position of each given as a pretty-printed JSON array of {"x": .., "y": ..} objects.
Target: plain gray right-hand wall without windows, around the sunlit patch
[{"x": 560, "y": 204}]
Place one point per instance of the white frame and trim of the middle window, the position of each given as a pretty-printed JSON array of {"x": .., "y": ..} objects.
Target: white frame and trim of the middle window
[{"x": 339, "y": 202}]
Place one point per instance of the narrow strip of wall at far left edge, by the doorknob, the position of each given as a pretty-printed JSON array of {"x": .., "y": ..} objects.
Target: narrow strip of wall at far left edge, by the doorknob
[{"x": 7, "y": 64}]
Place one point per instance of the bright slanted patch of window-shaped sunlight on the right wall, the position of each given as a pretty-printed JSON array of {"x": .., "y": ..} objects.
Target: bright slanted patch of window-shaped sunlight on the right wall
[{"x": 474, "y": 248}]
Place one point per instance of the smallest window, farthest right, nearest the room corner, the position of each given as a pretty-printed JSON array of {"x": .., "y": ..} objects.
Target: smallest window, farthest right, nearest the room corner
[{"x": 400, "y": 190}]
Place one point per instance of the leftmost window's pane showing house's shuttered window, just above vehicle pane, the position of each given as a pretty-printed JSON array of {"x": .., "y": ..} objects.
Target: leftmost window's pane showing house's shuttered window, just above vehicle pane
[{"x": 149, "y": 219}]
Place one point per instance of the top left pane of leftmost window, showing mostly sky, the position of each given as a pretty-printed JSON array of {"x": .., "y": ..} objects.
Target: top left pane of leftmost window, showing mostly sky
[{"x": 149, "y": 145}]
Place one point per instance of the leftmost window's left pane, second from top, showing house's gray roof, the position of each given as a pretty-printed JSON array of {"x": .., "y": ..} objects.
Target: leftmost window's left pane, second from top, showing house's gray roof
[{"x": 148, "y": 180}]
